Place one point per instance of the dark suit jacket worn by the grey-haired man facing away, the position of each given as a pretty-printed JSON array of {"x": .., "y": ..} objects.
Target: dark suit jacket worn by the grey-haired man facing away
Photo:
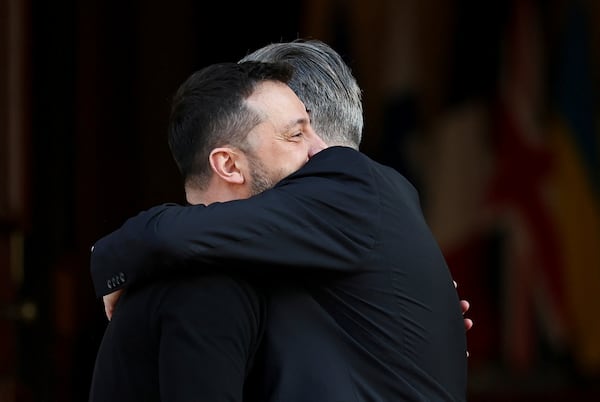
[{"x": 371, "y": 313}]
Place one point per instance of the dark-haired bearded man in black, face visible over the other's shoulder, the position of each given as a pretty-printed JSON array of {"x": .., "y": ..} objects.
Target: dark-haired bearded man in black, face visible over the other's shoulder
[{"x": 191, "y": 338}]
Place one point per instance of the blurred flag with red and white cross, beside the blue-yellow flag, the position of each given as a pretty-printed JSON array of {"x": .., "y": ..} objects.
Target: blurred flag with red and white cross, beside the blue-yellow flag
[{"x": 532, "y": 267}]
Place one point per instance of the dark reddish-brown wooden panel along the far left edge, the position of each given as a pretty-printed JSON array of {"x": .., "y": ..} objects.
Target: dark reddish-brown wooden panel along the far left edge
[{"x": 14, "y": 204}]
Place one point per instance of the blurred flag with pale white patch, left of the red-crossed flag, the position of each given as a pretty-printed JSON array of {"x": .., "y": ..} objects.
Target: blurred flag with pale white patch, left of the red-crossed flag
[{"x": 453, "y": 156}]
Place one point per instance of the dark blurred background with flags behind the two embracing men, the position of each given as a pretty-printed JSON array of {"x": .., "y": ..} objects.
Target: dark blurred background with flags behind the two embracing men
[{"x": 489, "y": 107}]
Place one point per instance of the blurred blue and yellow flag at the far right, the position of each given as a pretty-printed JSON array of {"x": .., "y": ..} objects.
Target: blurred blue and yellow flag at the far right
[{"x": 574, "y": 137}]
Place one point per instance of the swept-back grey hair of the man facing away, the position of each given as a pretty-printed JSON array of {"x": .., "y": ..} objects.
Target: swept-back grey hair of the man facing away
[{"x": 324, "y": 82}]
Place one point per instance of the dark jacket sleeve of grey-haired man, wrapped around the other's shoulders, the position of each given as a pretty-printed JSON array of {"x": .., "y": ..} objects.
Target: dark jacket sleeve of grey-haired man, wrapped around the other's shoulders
[{"x": 321, "y": 217}]
